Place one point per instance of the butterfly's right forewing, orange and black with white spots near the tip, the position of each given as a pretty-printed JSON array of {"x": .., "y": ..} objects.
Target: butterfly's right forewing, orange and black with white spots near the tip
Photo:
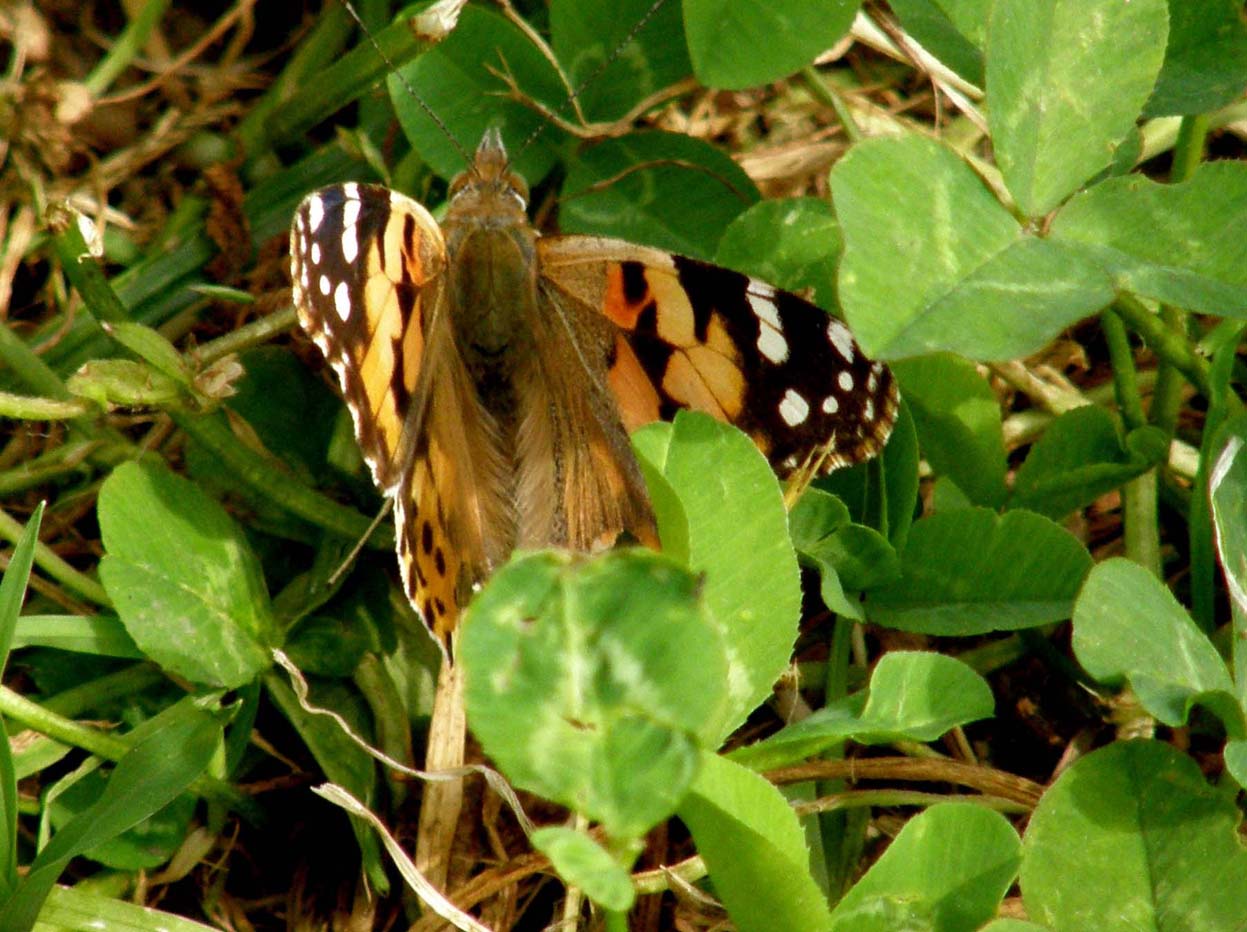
[{"x": 691, "y": 335}]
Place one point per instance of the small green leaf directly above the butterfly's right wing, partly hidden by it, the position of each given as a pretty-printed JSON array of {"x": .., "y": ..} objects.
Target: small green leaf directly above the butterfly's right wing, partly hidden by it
[{"x": 791, "y": 243}]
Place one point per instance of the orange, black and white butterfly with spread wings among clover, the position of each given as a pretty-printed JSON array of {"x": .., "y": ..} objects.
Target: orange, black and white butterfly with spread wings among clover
[{"x": 493, "y": 375}]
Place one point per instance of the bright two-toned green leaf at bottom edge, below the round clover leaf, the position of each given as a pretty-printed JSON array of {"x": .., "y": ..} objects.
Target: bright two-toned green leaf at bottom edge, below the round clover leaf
[{"x": 755, "y": 850}]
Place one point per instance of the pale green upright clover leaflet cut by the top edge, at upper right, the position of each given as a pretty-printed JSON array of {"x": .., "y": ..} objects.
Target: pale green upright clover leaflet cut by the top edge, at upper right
[{"x": 1067, "y": 80}]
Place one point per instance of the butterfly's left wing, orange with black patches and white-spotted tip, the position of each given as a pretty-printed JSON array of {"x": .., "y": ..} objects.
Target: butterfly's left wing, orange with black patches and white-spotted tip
[{"x": 368, "y": 284}]
